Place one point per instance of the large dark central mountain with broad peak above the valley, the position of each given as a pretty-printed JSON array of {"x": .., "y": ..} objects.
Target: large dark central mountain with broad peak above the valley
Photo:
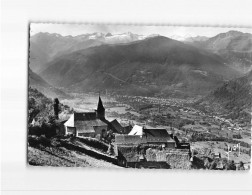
[{"x": 153, "y": 66}]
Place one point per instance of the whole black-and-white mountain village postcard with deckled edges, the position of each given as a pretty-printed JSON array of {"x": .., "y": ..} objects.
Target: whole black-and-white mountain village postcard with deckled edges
[{"x": 139, "y": 96}]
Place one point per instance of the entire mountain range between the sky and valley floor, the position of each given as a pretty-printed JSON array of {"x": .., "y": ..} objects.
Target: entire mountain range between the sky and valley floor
[{"x": 138, "y": 64}]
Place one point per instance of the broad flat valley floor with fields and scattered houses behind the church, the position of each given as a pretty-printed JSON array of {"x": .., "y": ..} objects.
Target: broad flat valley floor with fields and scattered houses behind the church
[{"x": 179, "y": 117}]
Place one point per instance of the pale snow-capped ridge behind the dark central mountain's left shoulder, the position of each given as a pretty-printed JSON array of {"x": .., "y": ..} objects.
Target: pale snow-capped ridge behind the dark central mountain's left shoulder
[{"x": 45, "y": 46}]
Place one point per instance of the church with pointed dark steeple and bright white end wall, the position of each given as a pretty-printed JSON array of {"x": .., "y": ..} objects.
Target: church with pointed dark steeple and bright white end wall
[{"x": 87, "y": 124}]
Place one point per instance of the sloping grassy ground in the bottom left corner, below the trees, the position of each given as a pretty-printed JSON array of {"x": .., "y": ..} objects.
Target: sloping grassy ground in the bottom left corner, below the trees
[{"x": 68, "y": 152}]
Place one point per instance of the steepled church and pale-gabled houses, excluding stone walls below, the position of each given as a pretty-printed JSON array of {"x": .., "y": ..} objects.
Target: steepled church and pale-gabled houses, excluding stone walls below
[{"x": 94, "y": 124}]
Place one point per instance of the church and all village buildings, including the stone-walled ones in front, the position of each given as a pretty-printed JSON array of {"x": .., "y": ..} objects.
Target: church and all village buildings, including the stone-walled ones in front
[{"x": 137, "y": 146}]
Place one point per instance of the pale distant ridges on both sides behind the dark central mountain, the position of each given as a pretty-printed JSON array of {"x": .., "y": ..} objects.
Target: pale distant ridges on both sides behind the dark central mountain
[{"x": 234, "y": 46}]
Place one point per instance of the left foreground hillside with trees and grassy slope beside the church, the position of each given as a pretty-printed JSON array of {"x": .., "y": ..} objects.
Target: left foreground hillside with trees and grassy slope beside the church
[{"x": 46, "y": 148}]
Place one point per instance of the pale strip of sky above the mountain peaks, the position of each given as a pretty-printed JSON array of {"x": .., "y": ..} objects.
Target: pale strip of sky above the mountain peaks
[{"x": 168, "y": 31}]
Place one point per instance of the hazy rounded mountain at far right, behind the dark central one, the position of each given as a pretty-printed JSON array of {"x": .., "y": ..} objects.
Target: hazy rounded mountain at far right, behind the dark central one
[{"x": 234, "y": 46}]
